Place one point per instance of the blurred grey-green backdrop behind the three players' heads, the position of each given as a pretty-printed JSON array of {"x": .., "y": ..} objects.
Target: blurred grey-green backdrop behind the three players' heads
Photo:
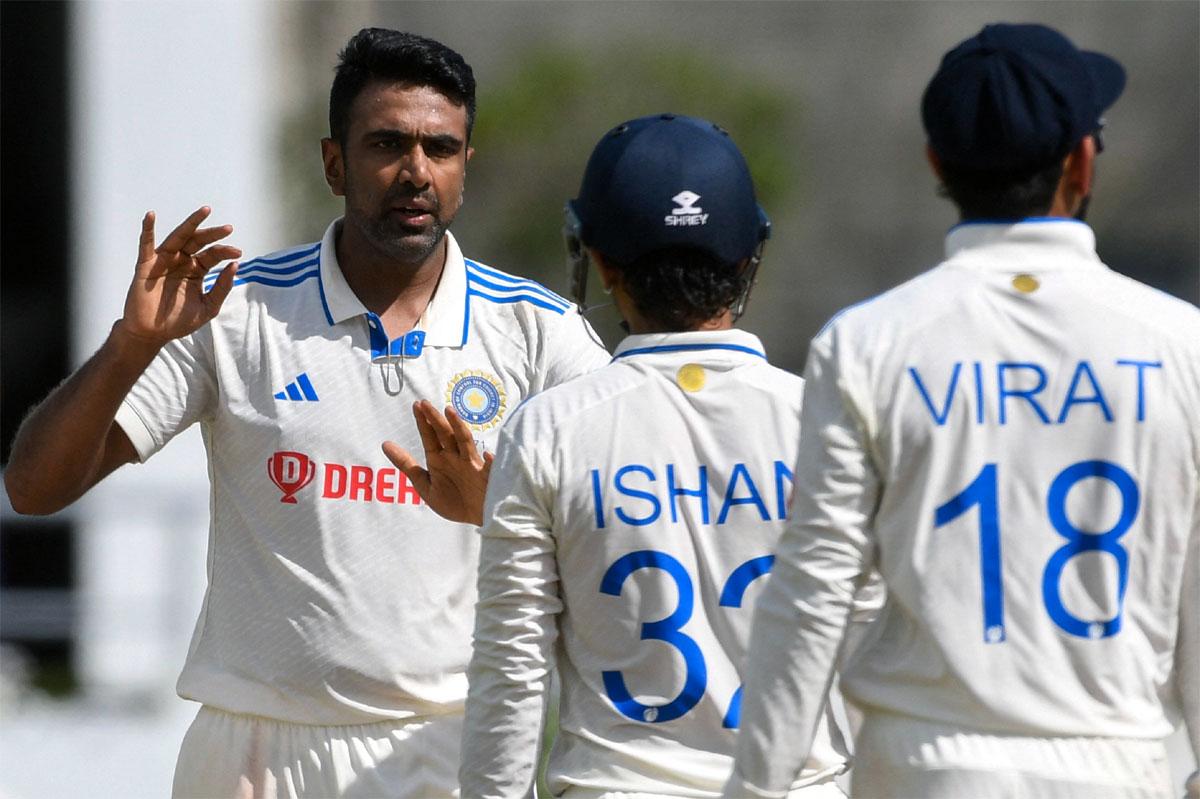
[{"x": 821, "y": 97}]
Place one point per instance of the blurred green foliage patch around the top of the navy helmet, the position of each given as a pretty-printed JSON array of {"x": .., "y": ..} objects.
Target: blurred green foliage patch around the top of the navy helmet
[{"x": 542, "y": 158}]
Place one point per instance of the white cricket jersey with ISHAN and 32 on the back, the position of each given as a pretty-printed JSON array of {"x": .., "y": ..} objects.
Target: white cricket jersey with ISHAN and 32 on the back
[{"x": 631, "y": 519}]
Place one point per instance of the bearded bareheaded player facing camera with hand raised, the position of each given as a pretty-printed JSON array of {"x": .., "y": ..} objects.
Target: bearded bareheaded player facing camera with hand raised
[{"x": 332, "y": 651}]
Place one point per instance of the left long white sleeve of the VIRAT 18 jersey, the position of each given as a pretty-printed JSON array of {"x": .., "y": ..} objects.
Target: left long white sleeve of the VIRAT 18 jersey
[{"x": 820, "y": 566}]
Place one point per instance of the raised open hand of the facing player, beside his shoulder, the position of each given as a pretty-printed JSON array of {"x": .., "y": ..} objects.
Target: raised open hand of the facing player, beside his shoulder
[{"x": 167, "y": 298}]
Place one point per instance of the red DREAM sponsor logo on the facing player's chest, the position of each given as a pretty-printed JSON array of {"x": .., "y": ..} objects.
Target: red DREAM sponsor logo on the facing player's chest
[{"x": 291, "y": 472}]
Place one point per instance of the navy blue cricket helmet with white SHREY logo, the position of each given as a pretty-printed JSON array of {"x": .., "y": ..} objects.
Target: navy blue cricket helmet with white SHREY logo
[{"x": 669, "y": 182}]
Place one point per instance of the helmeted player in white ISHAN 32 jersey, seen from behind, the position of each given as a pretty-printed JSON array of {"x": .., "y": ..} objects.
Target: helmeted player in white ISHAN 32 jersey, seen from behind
[{"x": 632, "y": 514}]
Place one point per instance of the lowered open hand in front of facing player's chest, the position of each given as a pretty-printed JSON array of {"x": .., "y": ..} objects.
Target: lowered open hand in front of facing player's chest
[{"x": 455, "y": 478}]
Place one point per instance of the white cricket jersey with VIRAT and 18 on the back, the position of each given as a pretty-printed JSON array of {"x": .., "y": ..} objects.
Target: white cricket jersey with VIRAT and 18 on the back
[{"x": 1013, "y": 440}]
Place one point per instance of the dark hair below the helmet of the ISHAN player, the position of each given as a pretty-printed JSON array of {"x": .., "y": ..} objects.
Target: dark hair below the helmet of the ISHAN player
[{"x": 679, "y": 289}]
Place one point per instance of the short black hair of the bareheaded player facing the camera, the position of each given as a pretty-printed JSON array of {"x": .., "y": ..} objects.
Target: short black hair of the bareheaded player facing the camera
[{"x": 380, "y": 53}]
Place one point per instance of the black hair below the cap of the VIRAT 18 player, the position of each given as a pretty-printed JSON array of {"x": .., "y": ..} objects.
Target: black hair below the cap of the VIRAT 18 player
[{"x": 1001, "y": 195}]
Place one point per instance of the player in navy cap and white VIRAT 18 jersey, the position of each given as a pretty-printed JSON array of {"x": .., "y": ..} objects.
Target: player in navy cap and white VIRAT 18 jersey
[{"x": 1013, "y": 440}]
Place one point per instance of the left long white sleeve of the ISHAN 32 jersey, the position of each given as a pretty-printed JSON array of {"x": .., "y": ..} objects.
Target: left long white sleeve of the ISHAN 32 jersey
[{"x": 515, "y": 628}]
